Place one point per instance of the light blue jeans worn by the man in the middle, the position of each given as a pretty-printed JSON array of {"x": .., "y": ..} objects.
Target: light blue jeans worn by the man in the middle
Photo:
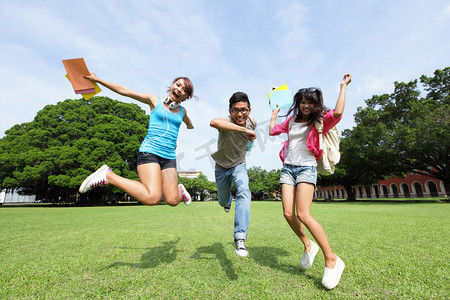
[{"x": 238, "y": 176}]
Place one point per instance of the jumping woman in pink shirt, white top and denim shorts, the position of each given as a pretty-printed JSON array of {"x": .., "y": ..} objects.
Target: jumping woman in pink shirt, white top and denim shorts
[{"x": 299, "y": 174}]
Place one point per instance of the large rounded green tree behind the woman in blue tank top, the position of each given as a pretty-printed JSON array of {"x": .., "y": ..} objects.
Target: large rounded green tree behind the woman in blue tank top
[{"x": 51, "y": 155}]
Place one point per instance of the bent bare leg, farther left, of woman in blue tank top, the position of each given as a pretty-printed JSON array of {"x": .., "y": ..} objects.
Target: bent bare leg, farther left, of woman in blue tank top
[{"x": 148, "y": 191}]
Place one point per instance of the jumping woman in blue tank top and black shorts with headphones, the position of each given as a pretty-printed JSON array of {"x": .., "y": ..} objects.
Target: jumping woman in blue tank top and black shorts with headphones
[{"x": 156, "y": 164}]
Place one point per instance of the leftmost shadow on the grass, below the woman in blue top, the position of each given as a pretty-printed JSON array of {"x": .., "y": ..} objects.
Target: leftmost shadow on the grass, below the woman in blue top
[{"x": 155, "y": 256}]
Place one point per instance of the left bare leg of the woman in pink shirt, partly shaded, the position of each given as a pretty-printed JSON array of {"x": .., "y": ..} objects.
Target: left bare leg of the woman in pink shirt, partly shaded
[{"x": 288, "y": 196}]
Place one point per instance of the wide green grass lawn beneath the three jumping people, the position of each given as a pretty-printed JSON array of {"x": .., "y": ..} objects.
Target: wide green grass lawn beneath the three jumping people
[{"x": 390, "y": 250}]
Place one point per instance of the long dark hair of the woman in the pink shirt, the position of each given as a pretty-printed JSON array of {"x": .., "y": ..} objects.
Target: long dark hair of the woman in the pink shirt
[{"x": 313, "y": 95}]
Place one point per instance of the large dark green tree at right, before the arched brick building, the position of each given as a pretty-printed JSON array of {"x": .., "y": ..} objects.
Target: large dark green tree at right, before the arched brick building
[{"x": 399, "y": 132}]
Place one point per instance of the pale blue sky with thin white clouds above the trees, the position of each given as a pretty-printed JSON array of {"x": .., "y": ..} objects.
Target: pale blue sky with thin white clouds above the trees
[{"x": 224, "y": 47}]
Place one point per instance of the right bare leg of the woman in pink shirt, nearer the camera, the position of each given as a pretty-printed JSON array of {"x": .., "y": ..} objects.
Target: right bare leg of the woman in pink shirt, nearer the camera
[{"x": 303, "y": 198}]
